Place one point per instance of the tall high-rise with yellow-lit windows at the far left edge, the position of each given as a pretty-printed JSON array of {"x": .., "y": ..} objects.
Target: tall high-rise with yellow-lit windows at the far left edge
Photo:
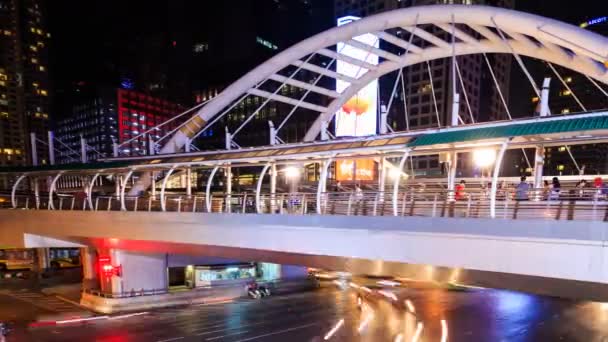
[{"x": 24, "y": 81}]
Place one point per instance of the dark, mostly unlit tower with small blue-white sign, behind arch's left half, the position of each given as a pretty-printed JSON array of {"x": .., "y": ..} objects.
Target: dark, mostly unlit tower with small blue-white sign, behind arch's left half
[{"x": 249, "y": 34}]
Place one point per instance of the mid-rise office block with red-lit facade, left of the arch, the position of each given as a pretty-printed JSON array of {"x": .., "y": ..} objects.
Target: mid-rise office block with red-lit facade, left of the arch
[{"x": 103, "y": 116}]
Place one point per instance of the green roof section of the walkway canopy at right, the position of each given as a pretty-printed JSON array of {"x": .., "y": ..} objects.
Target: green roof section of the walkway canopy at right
[{"x": 535, "y": 128}]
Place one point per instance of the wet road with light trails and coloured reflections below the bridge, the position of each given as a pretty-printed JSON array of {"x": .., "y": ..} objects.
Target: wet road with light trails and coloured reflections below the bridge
[{"x": 395, "y": 314}]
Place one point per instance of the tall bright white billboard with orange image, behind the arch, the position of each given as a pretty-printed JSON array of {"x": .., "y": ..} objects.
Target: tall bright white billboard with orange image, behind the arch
[{"x": 358, "y": 116}]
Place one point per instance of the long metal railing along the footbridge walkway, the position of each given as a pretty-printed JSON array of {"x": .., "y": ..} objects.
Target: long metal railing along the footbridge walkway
[{"x": 565, "y": 204}]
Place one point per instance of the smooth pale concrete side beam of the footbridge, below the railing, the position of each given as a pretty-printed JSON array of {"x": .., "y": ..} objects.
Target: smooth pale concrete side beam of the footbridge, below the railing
[{"x": 559, "y": 258}]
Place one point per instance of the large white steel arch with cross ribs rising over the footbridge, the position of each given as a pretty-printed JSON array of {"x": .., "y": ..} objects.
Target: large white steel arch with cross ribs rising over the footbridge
[{"x": 475, "y": 32}]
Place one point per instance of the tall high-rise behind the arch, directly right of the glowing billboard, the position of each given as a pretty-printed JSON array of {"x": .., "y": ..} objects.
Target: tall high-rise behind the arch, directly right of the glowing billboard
[{"x": 429, "y": 99}]
